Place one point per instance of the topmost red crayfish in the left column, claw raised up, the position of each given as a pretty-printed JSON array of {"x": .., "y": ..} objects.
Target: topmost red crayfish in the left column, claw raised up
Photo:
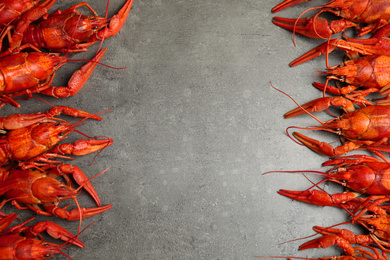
[{"x": 68, "y": 31}]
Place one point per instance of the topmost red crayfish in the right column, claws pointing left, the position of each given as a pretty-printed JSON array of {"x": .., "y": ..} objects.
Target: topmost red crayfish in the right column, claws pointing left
[{"x": 374, "y": 13}]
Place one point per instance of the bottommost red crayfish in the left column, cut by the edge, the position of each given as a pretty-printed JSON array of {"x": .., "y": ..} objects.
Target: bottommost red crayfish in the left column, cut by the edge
[{"x": 20, "y": 242}]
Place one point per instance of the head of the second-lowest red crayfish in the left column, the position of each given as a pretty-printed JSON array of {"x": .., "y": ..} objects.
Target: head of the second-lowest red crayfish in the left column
[{"x": 48, "y": 189}]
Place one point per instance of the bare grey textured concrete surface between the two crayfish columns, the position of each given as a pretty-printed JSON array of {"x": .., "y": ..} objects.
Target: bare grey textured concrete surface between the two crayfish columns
[{"x": 195, "y": 124}]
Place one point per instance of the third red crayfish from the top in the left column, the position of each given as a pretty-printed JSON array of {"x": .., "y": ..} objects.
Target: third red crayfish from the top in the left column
[{"x": 31, "y": 143}]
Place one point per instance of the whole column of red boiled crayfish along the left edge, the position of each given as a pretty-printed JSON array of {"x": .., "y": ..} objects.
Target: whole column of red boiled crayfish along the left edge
[{"x": 34, "y": 171}]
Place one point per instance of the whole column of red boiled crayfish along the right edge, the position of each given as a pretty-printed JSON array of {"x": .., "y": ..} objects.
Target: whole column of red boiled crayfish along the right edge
[{"x": 360, "y": 88}]
